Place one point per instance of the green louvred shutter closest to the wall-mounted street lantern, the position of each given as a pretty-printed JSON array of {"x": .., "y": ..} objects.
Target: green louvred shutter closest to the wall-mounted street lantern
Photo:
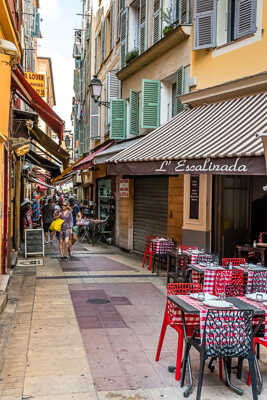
[{"x": 118, "y": 119}]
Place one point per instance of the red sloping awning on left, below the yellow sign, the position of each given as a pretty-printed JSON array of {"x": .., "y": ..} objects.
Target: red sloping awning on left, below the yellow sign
[{"x": 49, "y": 116}]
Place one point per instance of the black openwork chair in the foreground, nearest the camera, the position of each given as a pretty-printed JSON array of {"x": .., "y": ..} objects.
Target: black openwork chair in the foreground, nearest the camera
[{"x": 227, "y": 334}]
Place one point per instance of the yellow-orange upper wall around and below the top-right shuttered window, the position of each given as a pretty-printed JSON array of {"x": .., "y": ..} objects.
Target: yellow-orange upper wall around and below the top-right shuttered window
[{"x": 232, "y": 61}]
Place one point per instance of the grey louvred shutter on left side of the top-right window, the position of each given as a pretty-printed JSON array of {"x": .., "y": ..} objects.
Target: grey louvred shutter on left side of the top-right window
[{"x": 205, "y": 24}]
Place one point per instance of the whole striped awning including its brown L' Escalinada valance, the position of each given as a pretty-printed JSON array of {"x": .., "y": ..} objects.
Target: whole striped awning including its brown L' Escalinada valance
[{"x": 217, "y": 138}]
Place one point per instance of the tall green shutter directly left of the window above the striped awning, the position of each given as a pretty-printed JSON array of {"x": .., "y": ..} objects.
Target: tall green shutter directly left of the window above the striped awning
[{"x": 150, "y": 104}]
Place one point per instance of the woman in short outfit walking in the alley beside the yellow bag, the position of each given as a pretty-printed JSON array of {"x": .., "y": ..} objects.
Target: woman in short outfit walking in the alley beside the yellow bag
[{"x": 65, "y": 234}]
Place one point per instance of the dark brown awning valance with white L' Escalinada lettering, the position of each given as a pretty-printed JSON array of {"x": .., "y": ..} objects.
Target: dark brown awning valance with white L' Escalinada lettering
[{"x": 218, "y": 166}]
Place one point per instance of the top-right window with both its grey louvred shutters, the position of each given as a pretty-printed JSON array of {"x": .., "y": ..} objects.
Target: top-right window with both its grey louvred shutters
[{"x": 222, "y": 21}]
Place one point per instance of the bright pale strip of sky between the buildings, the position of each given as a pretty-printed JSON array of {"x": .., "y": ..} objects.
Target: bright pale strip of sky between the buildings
[{"x": 57, "y": 26}]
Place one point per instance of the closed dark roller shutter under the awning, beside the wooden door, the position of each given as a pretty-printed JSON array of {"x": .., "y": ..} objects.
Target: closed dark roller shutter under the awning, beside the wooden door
[{"x": 150, "y": 209}]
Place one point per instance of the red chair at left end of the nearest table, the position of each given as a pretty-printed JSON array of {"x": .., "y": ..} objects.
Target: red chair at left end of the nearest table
[{"x": 172, "y": 318}]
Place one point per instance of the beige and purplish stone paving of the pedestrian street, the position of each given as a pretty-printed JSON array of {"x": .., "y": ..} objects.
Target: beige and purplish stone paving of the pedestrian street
[{"x": 88, "y": 329}]
